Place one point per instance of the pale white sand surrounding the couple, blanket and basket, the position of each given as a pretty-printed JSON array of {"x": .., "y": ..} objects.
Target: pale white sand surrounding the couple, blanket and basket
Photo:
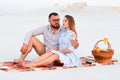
[{"x": 93, "y": 23}]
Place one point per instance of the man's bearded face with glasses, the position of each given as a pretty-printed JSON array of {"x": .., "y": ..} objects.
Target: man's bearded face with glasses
[{"x": 54, "y": 21}]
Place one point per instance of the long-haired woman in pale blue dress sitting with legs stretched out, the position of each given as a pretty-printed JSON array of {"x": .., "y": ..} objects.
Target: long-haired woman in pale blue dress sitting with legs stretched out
[{"x": 66, "y": 52}]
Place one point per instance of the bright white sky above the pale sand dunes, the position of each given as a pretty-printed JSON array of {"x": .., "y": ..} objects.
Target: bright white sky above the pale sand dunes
[{"x": 23, "y": 5}]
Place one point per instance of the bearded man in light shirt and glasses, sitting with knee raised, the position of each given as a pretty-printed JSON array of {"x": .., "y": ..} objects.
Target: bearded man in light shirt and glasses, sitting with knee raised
[{"x": 50, "y": 34}]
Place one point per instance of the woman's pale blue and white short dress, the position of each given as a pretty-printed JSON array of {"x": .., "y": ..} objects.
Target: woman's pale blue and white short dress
[{"x": 68, "y": 59}]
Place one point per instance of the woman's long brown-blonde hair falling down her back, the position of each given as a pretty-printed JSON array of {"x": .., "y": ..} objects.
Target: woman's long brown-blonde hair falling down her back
[{"x": 71, "y": 23}]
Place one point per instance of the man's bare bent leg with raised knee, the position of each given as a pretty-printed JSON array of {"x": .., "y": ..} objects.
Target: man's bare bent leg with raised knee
[{"x": 37, "y": 45}]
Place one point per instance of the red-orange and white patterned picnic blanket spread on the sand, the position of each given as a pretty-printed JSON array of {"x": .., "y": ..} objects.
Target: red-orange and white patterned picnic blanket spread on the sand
[{"x": 87, "y": 61}]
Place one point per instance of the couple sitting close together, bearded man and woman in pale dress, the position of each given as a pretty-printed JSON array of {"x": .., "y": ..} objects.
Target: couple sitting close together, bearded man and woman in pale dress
[{"x": 59, "y": 43}]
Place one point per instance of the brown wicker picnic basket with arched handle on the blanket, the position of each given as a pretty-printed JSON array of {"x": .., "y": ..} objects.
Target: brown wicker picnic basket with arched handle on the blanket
[{"x": 103, "y": 56}]
